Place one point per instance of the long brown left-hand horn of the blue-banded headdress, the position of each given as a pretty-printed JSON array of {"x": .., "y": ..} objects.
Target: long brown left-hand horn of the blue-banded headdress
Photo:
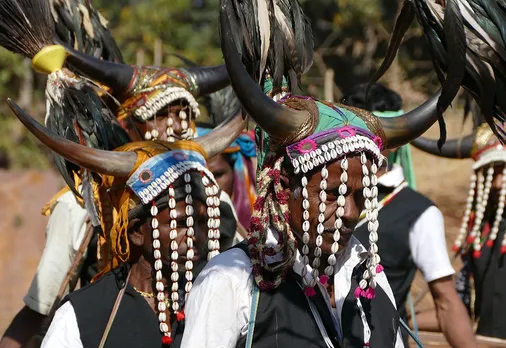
[{"x": 100, "y": 161}]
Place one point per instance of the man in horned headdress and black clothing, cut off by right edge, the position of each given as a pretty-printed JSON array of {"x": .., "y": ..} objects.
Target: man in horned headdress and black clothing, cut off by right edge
[{"x": 481, "y": 240}]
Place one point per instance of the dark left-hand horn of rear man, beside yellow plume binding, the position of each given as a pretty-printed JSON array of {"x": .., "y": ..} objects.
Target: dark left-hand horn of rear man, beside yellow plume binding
[{"x": 117, "y": 76}]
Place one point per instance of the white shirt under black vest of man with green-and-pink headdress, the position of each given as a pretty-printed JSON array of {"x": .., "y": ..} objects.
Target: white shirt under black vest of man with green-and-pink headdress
[{"x": 218, "y": 307}]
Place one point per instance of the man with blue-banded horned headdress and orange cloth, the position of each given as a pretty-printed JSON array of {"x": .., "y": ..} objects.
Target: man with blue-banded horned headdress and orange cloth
[{"x": 158, "y": 206}]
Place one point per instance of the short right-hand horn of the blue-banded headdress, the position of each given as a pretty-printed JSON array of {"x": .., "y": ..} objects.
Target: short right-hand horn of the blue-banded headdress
[{"x": 217, "y": 140}]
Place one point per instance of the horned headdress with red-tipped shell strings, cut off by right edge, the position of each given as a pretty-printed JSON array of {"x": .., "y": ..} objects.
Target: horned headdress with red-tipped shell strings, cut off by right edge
[{"x": 487, "y": 151}]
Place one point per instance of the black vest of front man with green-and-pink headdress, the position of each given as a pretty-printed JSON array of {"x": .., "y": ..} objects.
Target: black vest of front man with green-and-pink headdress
[{"x": 284, "y": 318}]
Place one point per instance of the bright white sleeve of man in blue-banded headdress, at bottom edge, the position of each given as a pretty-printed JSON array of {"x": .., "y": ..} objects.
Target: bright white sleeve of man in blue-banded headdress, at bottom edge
[{"x": 63, "y": 331}]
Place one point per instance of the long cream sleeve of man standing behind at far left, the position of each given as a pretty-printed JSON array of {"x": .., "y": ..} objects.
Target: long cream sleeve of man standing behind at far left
[{"x": 65, "y": 231}]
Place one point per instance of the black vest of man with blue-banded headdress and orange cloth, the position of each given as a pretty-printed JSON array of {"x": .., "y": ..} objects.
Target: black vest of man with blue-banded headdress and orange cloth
[{"x": 135, "y": 325}]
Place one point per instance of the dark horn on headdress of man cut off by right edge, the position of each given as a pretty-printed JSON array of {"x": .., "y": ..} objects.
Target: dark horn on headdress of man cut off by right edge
[{"x": 455, "y": 148}]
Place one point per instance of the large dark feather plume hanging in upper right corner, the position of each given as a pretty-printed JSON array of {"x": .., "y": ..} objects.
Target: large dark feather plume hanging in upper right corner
[{"x": 467, "y": 39}]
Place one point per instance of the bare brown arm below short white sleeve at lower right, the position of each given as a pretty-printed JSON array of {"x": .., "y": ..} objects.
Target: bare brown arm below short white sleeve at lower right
[{"x": 451, "y": 313}]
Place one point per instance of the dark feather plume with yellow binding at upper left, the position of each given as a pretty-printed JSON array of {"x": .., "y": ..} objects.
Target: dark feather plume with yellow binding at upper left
[{"x": 73, "y": 108}]
